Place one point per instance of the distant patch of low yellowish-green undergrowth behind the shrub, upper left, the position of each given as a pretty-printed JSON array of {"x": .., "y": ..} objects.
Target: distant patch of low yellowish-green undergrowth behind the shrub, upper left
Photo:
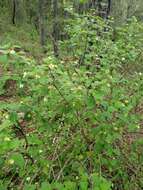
[{"x": 26, "y": 36}]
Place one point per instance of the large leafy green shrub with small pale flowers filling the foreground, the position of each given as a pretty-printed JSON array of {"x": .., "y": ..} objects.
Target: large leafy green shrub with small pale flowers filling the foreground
[{"x": 74, "y": 122}]
